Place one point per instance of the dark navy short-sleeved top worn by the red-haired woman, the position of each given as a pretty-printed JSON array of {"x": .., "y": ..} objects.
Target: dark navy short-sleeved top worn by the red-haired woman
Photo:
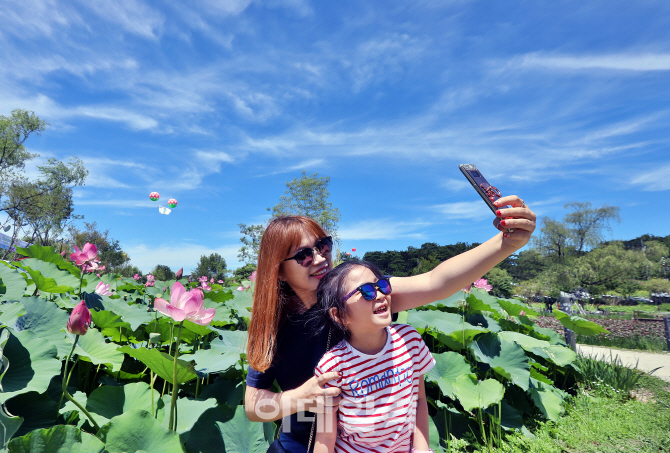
[{"x": 299, "y": 350}]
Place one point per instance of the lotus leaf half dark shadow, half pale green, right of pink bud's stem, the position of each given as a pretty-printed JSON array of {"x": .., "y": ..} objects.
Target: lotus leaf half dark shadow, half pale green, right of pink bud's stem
[{"x": 107, "y": 401}]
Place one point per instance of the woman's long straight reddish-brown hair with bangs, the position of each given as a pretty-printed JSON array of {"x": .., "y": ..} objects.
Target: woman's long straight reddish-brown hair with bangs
[{"x": 272, "y": 297}]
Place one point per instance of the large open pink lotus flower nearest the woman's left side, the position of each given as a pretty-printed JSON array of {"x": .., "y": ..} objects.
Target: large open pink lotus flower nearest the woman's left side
[{"x": 185, "y": 305}]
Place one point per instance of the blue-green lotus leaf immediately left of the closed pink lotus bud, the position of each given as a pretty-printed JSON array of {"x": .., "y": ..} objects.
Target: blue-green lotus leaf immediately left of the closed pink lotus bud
[{"x": 44, "y": 319}]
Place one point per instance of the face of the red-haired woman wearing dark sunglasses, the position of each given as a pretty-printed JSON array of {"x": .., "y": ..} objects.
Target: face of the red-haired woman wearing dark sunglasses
[{"x": 305, "y": 280}]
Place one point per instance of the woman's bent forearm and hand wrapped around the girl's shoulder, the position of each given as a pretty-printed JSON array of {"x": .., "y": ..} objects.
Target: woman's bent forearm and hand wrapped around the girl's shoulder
[{"x": 263, "y": 405}]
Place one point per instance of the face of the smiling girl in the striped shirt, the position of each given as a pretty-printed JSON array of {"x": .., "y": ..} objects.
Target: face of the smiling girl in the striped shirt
[{"x": 365, "y": 316}]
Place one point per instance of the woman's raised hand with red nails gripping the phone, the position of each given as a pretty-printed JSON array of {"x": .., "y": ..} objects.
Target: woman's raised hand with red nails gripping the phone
[{"x": 517, "y": 222}]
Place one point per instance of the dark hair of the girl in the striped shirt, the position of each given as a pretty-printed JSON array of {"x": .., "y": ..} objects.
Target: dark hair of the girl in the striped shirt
[{"x": 331, "y": 291}]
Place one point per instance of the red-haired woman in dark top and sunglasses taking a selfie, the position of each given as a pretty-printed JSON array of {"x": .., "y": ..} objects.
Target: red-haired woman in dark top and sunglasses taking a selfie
[{"x": 295, "y": 253}]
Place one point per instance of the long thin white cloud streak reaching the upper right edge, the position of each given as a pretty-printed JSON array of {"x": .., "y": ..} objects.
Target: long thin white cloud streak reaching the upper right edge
[{"x": 617, "y": 61}]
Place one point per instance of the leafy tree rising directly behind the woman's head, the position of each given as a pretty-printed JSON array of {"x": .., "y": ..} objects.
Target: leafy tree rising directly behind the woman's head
[{"x": 308, "y": 196}]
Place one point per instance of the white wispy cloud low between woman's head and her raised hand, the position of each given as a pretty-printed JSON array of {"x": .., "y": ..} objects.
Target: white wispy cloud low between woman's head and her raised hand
[{"x": 382, "y": 229}]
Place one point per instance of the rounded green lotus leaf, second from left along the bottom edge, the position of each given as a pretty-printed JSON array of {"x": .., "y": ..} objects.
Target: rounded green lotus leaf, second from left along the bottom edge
[{"x": 138, "y": 430}]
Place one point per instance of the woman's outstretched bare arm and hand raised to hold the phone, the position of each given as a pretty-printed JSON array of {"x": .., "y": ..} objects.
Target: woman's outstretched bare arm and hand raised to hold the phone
[{"x": 461, "y": 270}]
